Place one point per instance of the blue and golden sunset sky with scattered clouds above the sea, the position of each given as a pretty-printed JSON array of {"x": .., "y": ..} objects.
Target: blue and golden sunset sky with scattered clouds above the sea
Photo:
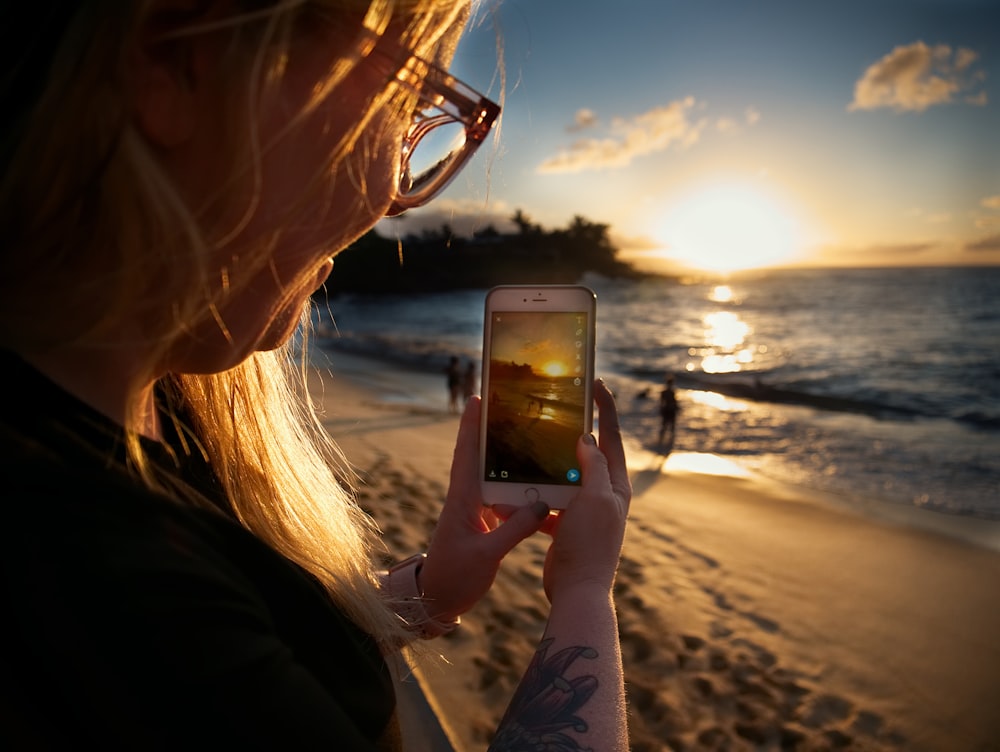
[{"x": 730, "y": 134}]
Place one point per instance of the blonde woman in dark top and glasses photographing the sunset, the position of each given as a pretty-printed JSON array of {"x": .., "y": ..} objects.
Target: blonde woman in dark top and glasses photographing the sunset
[{"x": 185, "y": 566}]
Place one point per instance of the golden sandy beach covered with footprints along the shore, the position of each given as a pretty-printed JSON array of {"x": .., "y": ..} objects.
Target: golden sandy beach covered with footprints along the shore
[{"x": 753, "y": 616}]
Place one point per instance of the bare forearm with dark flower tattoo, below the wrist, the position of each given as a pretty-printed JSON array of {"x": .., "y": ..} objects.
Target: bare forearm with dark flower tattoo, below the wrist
[{"x": 573, "y": 687}]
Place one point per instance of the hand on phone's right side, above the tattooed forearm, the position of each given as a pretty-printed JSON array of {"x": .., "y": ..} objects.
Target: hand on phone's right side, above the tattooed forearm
[{"x": 588, "y": 534}]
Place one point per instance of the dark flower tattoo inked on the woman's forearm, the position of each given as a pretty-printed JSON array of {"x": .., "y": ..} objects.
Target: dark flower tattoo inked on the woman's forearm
[{"x": 545, "y": 704}]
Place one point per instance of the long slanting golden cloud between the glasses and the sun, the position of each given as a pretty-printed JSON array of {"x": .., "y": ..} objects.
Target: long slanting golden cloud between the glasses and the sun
[{"x": 652, "y": 131}]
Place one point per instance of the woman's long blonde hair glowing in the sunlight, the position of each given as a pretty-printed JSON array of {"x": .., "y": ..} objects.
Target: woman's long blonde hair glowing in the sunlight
[{"x": 92, "y": 225}]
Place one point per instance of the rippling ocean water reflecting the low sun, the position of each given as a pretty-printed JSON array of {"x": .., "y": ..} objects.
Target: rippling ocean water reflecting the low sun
[{"x": 869, "y": 384}]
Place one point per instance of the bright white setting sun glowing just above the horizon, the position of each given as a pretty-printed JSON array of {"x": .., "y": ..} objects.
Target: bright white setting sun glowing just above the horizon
[{"x": 729, "y": 226}]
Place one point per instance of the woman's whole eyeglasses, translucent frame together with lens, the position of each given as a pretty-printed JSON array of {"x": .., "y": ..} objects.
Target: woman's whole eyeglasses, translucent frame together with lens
[{"x": 450, "y": 123}]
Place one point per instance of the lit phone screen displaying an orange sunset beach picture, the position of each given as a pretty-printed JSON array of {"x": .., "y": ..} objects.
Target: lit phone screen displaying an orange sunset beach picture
[{"x": 537, "y": 391}]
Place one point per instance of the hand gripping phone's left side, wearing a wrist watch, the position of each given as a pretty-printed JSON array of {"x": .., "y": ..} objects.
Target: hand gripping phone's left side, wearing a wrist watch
[{"x": 470, "y": 541}]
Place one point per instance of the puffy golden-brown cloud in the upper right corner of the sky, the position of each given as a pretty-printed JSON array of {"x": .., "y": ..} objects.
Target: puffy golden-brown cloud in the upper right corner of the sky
[{"x": 917, "y": 76}]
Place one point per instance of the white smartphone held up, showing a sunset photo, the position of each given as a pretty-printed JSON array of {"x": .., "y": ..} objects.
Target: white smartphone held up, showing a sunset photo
[{"x": 537, "y": 392}]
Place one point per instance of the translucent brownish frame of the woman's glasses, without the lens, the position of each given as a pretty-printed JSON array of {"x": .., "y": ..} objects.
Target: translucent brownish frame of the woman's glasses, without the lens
[{"x": 456, "y": 102}]
